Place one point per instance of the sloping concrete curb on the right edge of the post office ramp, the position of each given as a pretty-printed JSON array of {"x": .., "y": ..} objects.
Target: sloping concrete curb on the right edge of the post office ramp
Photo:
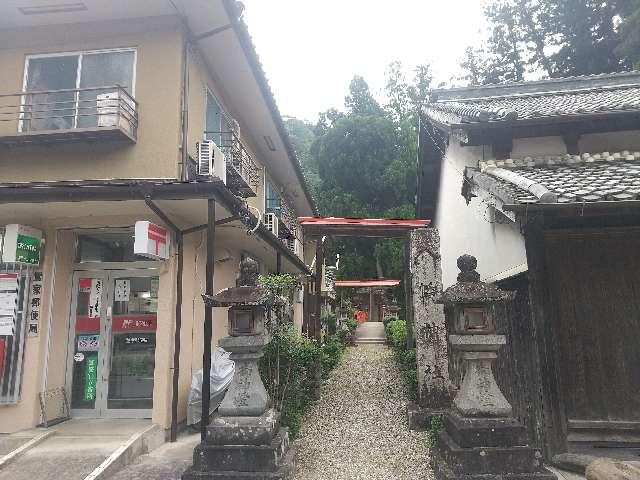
[{"x": 138, "y": 444}]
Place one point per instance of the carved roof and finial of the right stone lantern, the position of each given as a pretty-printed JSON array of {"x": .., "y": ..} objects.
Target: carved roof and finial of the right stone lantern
[{"x": 469, "y": 288}]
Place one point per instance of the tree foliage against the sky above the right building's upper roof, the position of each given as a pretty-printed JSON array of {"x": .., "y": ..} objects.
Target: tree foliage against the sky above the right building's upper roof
[{"x": 555, "y": 38}]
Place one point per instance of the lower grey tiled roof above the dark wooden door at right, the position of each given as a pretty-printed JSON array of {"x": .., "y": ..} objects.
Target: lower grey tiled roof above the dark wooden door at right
[{"x": 566, "y": 178}]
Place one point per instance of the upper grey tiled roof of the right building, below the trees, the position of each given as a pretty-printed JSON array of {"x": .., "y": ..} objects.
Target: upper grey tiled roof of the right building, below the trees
[{"x": 575, "y": 100}]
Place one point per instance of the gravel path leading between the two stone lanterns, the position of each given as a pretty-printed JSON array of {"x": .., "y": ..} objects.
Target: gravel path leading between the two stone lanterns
[{"x": 358, "y": 428}]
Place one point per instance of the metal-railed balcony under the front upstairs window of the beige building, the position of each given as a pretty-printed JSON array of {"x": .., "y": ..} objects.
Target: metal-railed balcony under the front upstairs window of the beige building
[{"x": 77, "y": 114}]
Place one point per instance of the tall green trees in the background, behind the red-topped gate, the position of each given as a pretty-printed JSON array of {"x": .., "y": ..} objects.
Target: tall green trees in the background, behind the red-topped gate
[{"x": 361, "y": 163}]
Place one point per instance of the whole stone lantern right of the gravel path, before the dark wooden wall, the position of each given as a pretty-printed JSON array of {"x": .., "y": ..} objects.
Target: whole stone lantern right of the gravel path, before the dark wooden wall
[{"x": 481, "y": 439}]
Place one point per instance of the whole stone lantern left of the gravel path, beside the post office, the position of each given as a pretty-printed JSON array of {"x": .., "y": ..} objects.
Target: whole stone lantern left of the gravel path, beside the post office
[{"x": 244, "y": 440}]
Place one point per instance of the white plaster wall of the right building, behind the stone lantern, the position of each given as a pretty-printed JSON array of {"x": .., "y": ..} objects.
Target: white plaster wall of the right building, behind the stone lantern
[{"x": 466, "y": 229}]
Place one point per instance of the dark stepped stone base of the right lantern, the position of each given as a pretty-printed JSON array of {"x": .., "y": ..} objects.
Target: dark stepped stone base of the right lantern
[{"x": 473, "y": 448}]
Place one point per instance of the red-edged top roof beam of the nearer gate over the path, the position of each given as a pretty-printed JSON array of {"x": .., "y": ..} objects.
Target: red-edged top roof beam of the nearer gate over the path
[{"x": 360, "y": 227}]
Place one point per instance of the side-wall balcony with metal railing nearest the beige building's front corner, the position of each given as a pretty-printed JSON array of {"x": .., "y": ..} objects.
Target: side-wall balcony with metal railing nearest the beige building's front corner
[{"x": 243, "y": 174}]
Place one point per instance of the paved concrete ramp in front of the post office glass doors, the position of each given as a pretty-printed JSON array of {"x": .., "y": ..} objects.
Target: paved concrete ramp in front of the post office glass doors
[{"x": 75, "y": 450}]
